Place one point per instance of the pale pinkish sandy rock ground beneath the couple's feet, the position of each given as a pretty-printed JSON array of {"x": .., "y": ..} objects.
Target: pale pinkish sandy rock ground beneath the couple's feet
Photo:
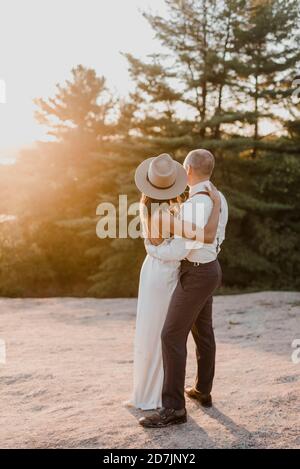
[{"x": 68, "y": 371}]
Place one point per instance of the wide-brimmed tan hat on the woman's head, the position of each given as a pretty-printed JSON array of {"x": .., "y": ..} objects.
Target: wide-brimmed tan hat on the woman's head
[{"x": 160, "y": 177}]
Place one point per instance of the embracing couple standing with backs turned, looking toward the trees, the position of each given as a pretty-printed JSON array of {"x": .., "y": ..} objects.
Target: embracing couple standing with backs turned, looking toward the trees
[{"x": 177, "y": 281}]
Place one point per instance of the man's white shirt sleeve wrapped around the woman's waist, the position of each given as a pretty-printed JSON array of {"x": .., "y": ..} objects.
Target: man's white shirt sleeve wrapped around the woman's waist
[{"x": 174, "y": 249}]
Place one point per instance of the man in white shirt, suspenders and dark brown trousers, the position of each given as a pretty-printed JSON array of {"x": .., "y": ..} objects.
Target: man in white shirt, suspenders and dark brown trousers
[{"x": 190, "y": 308}]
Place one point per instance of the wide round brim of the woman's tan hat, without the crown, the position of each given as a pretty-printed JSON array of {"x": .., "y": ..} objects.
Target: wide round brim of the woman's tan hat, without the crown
[{"x": 146, "y": 187}]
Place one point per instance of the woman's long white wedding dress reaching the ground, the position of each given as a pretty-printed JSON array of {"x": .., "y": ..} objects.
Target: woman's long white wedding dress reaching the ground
[{"x": 158, "y": 279}]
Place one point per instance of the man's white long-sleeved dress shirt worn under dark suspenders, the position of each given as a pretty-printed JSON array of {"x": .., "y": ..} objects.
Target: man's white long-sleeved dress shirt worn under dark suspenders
[{"x": 196, "y": 209}]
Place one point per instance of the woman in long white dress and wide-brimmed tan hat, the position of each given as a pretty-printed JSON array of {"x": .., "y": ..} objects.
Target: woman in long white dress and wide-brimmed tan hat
[{"x": 158, "y": 278}]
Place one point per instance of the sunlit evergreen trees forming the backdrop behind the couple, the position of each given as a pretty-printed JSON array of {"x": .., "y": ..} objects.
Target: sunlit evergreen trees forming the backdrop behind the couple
[{"x": 224, "y": 82}]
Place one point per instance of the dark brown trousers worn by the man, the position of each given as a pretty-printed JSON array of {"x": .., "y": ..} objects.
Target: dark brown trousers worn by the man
[{"x": 190, "y": 309}]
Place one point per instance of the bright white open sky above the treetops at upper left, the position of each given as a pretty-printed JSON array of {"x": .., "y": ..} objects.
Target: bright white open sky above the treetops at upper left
[{"x": 41, "y": 40}]
